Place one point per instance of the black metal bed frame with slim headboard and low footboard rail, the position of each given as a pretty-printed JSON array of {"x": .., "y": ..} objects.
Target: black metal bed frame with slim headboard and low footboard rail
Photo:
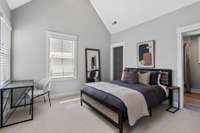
[{"x": 121, "y": 119}]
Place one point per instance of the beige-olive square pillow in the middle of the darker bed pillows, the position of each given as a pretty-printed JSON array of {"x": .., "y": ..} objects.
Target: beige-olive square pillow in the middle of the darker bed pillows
[{"x": 144, "y": 78}]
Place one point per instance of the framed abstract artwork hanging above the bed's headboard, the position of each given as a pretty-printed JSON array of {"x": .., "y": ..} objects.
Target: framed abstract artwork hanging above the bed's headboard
[{"x": 146, "y": 54}]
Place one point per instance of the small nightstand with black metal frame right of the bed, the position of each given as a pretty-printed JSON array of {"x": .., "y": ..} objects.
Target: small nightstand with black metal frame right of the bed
[{"x": 171, "y": 108}]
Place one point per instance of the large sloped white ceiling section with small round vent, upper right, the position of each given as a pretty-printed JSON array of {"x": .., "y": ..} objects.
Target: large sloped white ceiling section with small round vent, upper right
[{"x": 130, "y": 13}]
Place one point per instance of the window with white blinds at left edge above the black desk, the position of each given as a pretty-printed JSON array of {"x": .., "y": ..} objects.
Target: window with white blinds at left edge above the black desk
[{"x": 5, "y": 46}]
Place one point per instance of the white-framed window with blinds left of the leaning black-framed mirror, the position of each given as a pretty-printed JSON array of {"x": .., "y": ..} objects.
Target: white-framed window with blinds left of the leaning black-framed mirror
[{"x": 62, "y": 55}]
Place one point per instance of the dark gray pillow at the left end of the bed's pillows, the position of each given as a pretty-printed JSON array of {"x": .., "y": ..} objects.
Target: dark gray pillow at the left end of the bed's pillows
[{"x": 129, "y": 76}]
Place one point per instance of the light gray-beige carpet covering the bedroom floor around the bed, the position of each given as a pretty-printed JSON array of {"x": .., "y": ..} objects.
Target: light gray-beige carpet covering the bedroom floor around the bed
[{"x": 71, "y": 118}]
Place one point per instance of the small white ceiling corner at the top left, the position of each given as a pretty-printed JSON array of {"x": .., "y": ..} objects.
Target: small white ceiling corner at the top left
[{"x": 13, "y": 4}]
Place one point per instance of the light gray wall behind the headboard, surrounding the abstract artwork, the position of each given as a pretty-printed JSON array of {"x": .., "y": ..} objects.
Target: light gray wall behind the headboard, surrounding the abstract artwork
[{"x": 163, "y": 30}]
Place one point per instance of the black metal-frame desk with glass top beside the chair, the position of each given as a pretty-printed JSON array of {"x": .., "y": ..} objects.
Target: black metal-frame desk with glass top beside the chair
[{"x": 14, "y": 96}]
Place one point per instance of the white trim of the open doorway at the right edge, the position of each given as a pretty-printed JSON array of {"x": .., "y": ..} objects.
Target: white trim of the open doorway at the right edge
[{"x": 180, "y": 63}]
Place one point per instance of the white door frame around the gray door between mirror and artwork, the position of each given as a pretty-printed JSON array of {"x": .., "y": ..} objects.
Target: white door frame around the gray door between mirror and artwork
[{"x": 115, "y": 45}]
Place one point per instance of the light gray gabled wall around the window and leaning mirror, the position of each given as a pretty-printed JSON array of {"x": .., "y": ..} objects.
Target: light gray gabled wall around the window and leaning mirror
[{"x": 76, "y": 17}]
